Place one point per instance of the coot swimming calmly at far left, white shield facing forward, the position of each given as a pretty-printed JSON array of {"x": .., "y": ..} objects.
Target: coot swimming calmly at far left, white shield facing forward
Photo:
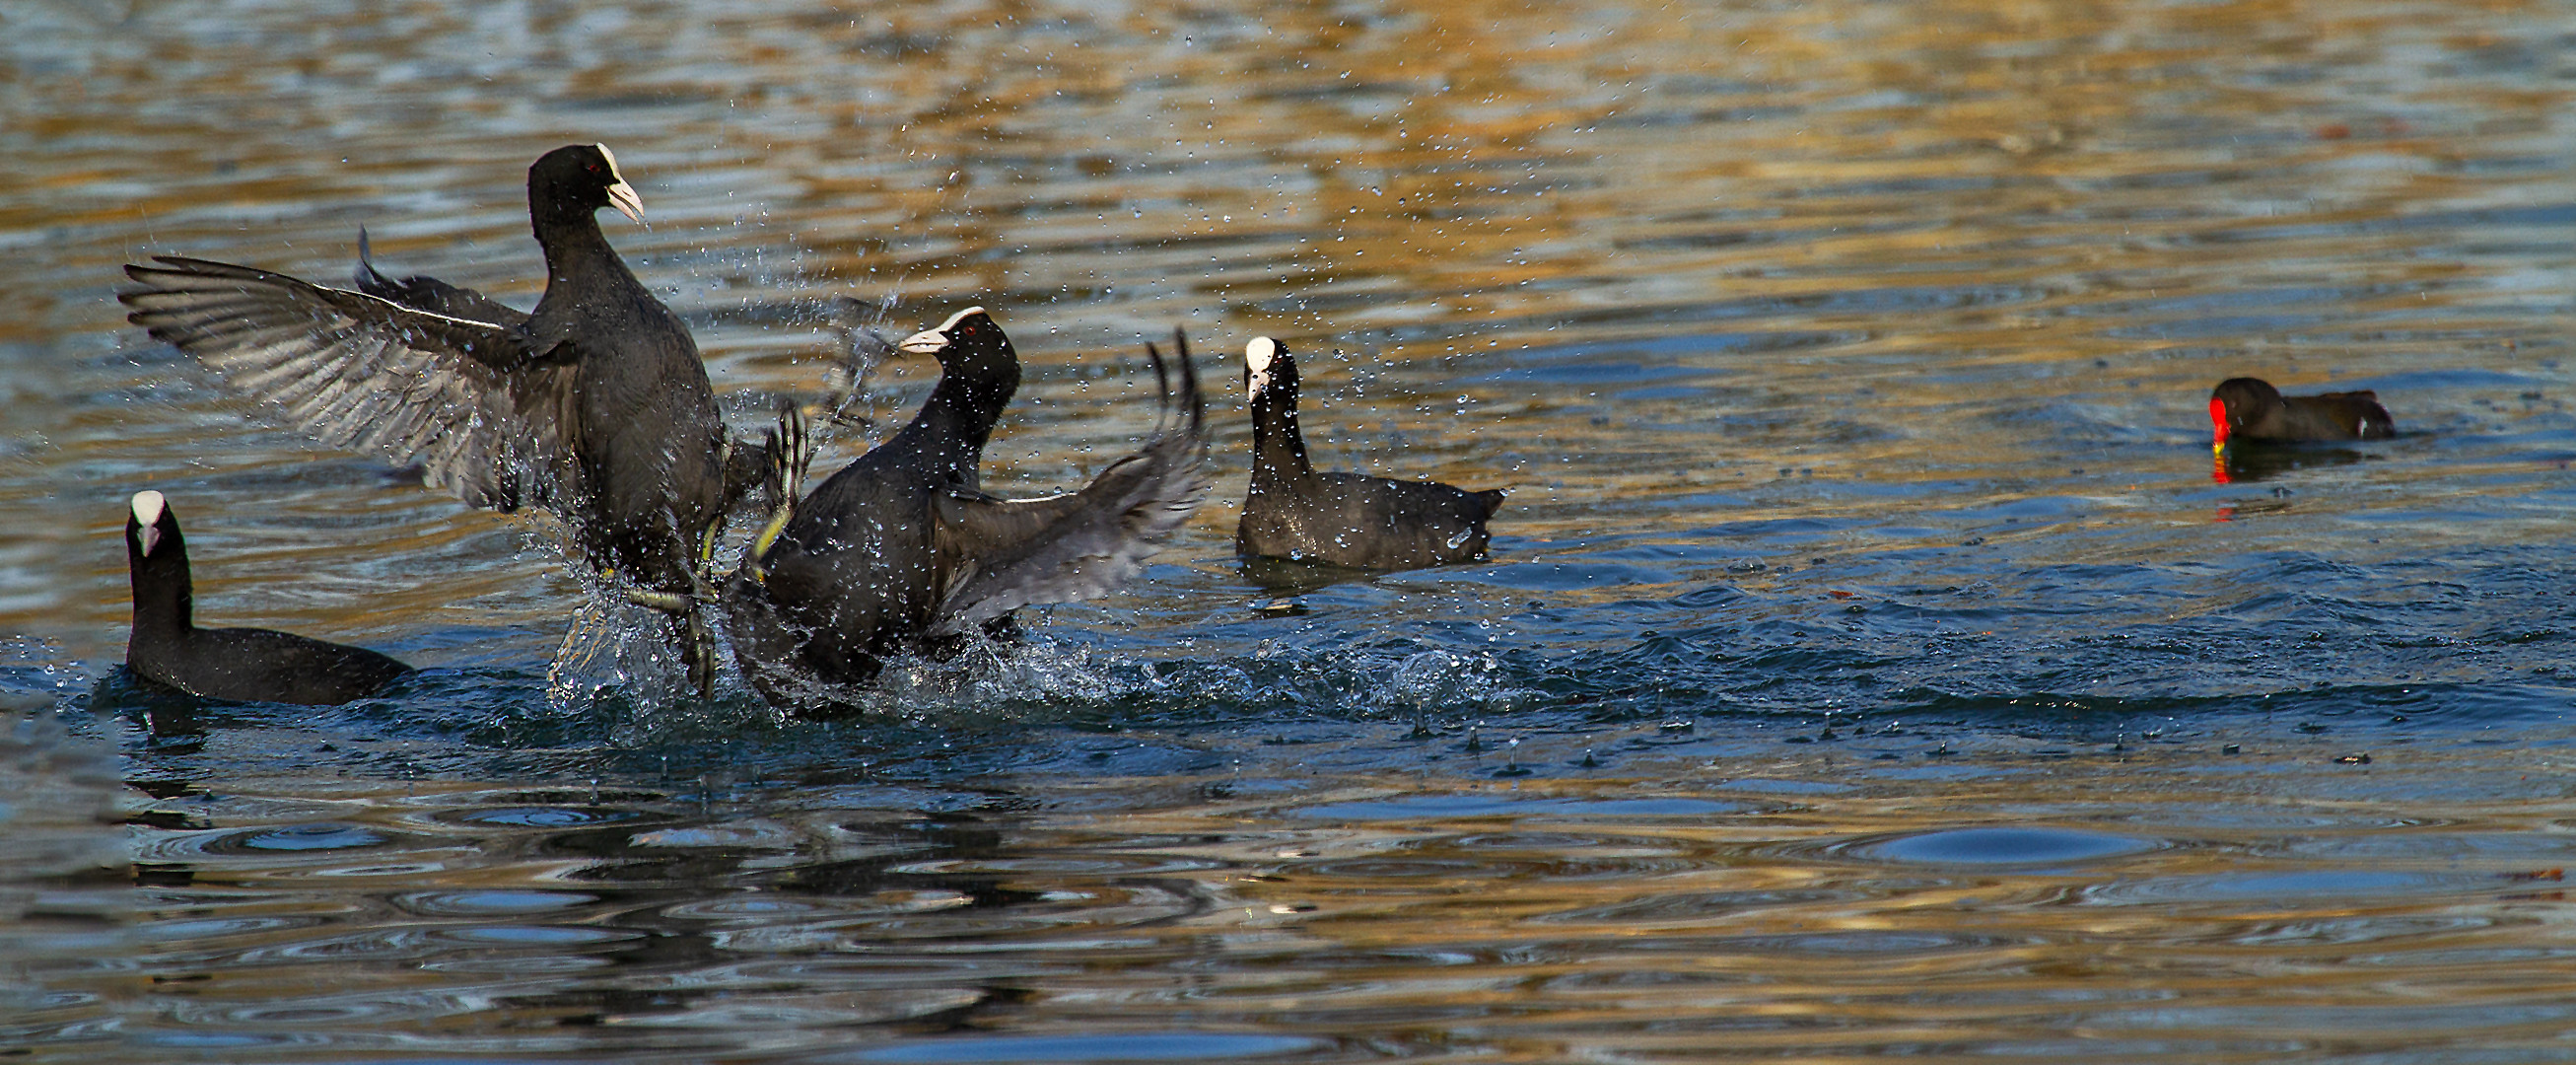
[{"x": 228, "y": 664}]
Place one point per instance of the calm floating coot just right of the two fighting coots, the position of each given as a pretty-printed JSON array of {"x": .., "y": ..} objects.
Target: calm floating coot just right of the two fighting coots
[{"x": 1343, "y": 520}]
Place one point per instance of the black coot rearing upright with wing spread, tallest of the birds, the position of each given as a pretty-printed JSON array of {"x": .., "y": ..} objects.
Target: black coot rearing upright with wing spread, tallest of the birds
[{"x": 594, "y": 406}]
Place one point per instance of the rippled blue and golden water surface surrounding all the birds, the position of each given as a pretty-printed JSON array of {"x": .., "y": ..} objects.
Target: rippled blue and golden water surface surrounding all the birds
[{"x": 1871, "y": 661}]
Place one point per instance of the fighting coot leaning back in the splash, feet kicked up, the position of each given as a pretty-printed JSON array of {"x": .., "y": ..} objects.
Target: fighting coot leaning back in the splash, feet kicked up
[{"x": 903, "y": 551}]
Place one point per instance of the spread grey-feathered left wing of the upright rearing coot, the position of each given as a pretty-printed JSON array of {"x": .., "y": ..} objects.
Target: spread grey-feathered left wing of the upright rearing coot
[{"x": 462, "y": 398}]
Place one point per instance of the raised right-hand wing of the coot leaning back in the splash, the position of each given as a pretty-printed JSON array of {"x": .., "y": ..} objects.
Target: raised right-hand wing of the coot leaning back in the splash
[{"x": 1081, "y": 545}]
